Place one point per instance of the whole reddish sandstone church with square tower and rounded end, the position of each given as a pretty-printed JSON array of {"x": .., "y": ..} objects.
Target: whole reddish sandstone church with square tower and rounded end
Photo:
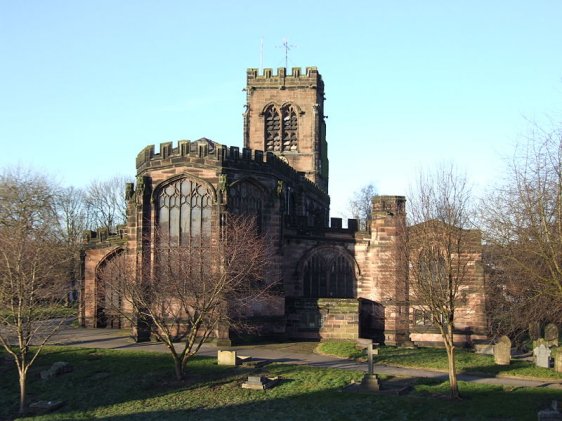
[{"x": 338, "y": 282}]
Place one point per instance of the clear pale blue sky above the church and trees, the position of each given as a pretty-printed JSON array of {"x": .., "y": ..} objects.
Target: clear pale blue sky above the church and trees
[{"x": 85, "y": 85}]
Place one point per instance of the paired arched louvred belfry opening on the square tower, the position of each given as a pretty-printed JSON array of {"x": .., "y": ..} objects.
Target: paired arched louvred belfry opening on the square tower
[{"x": 281, "y": 129}]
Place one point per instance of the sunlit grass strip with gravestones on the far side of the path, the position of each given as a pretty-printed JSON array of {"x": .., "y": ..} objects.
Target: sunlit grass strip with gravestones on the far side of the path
[{"x": 436, "y": 359}]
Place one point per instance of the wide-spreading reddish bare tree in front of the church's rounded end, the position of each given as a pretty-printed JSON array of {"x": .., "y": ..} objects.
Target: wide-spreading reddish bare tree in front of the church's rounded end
[{"x": 194, "y": 289}]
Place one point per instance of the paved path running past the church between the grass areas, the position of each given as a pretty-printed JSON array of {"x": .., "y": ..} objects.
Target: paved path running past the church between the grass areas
[{"x": 293, "y": 353}]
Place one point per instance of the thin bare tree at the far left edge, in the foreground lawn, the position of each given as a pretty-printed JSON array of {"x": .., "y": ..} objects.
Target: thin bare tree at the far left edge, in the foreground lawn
[{"x": 32, "y": 259}]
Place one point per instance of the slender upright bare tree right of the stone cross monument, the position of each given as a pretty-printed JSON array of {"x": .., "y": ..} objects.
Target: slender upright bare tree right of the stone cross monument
[{"x": 436, "y": 249}]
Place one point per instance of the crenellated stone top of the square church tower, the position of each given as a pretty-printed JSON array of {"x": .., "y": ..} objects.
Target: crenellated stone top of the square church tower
[{"x": 310, "y": 78}]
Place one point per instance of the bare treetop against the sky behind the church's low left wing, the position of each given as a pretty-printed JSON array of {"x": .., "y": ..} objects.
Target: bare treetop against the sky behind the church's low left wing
[{"x": 106, "y": 203}]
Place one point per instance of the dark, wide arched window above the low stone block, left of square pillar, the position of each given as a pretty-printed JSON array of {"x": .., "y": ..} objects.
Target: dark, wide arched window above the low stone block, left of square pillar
[{"x": 328, "y": 275}]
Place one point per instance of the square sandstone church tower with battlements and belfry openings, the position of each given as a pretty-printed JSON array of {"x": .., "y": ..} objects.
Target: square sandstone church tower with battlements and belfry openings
[{"x": 285, "y": 115}]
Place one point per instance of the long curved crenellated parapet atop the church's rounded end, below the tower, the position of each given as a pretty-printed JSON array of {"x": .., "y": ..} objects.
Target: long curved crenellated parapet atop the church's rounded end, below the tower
[{"x": 208, "y": 152}]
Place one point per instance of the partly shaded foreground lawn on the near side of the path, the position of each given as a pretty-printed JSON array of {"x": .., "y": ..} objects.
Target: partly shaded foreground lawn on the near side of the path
[{"x": 141, "y": 385}]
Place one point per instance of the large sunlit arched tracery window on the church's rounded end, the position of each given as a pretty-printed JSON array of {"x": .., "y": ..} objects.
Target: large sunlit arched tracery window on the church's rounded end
[{"x": 184, "y": 212}]
